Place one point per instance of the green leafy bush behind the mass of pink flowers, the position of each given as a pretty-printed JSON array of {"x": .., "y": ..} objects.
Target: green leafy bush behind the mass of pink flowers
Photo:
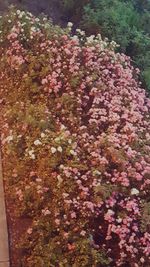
[{"x": 126, "y": 22}]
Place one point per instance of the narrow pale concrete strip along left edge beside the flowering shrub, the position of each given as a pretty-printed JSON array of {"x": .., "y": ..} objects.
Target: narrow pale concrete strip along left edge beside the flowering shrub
[{"x": 4, "y": 247}]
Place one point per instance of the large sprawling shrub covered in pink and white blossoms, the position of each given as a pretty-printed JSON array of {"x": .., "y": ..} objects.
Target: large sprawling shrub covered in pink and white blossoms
[{"x": 75, "y": 133}]
